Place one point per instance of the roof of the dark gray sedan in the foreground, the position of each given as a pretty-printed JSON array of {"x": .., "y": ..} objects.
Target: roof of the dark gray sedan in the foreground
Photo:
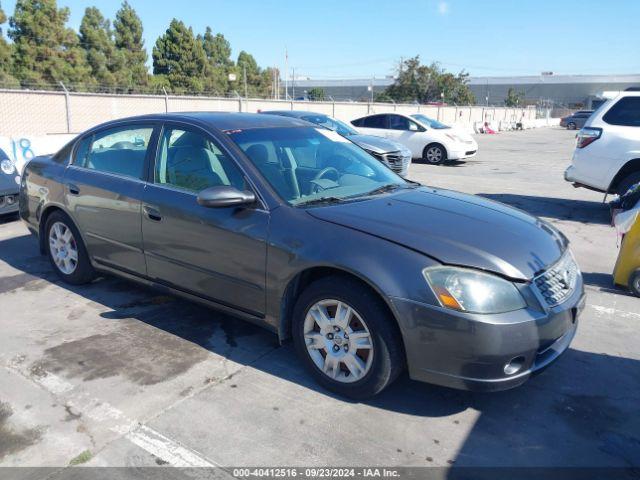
[{"x": 221, "y": 120}]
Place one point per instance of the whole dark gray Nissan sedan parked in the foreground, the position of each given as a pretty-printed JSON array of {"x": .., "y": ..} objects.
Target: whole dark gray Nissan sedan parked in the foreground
[{"x": 296, "y": 228}]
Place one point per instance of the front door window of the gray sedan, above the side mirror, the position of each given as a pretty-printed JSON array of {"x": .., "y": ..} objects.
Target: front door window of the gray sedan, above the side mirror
[{"x": 192, "y": 161}]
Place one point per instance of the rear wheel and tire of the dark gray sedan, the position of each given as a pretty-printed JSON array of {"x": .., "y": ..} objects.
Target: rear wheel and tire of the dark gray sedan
[{"x": 66, "y": 250}]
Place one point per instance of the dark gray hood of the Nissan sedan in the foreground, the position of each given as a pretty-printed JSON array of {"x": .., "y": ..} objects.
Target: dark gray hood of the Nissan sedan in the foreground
[{"x": 455, "y": 229}]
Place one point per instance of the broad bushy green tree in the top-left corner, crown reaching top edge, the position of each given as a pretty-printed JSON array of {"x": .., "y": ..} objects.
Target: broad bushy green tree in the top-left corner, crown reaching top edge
[{"x": 45, "y": 51}]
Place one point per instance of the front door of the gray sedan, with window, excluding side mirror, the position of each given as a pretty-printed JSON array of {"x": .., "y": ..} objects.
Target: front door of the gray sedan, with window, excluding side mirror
[{"x": 216, "y": 253}]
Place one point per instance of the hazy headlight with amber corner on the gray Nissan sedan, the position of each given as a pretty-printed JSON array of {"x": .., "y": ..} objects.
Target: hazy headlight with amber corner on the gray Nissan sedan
[{"x": 472, "y": 291}]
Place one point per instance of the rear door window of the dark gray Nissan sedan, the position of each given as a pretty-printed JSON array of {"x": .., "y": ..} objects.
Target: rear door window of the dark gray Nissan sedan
[{"x": 119, "y": 150}]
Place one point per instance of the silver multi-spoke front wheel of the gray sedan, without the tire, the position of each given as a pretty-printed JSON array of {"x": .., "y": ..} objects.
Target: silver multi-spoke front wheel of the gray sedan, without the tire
[{"x": 338, "y": 341}]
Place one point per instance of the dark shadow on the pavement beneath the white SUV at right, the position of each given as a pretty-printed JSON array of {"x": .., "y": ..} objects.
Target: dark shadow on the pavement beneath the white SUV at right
[{"x": 583, "y": 211}]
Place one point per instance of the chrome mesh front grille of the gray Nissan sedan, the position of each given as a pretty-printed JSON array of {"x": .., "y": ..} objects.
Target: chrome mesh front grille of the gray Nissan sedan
[{"x": 557, "y": 283}]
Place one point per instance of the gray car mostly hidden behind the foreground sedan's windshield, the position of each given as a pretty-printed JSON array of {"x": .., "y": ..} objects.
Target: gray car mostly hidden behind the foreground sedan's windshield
[{"x": 393, "y": 154}]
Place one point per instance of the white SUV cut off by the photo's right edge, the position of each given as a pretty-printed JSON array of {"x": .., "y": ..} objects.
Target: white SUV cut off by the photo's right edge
[{"x": 607, "y": 154}]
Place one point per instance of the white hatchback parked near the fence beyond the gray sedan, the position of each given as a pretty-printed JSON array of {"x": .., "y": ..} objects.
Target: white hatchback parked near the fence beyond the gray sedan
[{"x": 432, "y": 141}]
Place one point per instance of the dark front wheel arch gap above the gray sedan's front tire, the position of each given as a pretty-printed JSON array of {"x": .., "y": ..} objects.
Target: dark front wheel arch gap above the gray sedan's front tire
[{"x": 306, "y": 277}]
